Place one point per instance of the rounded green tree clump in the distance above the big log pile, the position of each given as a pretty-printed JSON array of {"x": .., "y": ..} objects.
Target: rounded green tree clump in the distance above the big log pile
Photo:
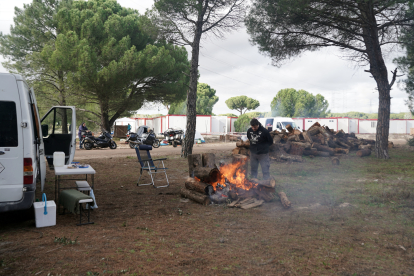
[{"x": 298, "y": 103}]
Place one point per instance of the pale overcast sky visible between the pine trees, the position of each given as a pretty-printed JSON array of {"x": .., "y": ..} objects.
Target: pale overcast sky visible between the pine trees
[{"x": 234, "y": 67}]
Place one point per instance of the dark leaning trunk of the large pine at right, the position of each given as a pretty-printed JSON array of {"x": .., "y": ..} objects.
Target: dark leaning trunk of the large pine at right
[{"x": 378, "y": 70}]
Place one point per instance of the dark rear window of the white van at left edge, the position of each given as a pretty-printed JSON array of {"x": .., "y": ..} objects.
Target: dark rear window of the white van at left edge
[{"x": 8, "y": 123}]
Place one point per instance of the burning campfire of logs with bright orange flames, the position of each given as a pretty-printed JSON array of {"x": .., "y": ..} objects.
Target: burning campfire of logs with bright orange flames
[{"x": 206, "y": 184}]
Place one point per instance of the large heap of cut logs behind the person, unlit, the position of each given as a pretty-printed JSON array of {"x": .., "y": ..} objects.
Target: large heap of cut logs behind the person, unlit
[{"x": 318, "y": 140}]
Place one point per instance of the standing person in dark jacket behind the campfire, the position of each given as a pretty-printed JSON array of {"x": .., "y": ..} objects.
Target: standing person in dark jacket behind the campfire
[{"x": 260, "y": 141}]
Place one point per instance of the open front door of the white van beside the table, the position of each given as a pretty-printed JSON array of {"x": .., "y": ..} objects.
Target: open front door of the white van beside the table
[{"x": 59, "y": 132}]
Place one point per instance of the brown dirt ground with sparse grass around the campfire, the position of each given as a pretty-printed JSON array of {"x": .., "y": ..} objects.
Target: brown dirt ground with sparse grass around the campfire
[{"x": 352, "y": 219}]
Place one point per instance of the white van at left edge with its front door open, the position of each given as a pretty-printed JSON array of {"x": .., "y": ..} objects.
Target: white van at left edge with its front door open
[{"x": 23, "y": 147}]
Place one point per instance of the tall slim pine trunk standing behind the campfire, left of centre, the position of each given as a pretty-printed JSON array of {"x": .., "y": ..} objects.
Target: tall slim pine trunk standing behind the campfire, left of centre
[{"x": 192, "y": 93}]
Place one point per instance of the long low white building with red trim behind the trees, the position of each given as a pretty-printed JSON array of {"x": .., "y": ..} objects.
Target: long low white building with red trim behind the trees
[{"x": 214, "y": 125}]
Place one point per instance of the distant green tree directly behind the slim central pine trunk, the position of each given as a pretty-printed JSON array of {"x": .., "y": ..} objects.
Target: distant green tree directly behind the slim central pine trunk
[{"x": 206, "y": 99}]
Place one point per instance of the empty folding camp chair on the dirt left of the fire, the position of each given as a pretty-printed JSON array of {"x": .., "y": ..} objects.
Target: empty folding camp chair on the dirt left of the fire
[{"x": 147, "y": 164}]
